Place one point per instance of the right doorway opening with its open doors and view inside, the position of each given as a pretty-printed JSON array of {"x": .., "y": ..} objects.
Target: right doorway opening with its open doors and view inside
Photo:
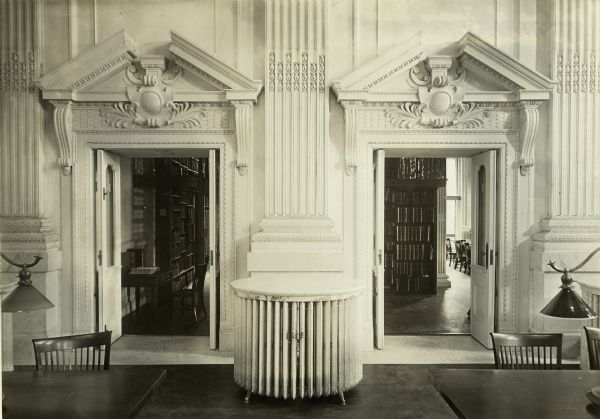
[{"x": 429, "y": 210}]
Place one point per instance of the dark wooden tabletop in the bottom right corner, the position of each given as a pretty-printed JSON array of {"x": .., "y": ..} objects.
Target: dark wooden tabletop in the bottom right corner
[{"x": 512, "y": 394}]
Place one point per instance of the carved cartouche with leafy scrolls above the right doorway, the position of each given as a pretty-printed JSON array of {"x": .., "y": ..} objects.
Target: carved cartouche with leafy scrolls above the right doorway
[{"x": 440, "y": 96}]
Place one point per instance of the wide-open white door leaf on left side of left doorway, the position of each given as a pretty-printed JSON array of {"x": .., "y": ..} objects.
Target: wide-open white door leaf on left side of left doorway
[{"x": 108, "y": 243}]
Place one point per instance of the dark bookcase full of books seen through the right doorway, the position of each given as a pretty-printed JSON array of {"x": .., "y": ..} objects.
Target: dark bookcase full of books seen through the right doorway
[{"x": 411, "y": 189}]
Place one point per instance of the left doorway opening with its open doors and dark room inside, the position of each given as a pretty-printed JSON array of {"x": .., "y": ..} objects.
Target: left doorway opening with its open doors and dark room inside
[{"x": 158, "y": 231}]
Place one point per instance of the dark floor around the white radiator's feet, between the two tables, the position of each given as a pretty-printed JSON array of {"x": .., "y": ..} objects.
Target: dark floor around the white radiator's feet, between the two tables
[{"x": 386, "y": 391}]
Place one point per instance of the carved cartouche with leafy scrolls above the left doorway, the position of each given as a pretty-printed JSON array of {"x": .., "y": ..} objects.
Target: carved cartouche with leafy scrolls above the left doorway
[{"x": 151, "y": 98}]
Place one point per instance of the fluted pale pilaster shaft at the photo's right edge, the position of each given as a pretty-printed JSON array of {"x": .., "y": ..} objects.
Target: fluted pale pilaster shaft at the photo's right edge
[{"x": 576, "y": 128}]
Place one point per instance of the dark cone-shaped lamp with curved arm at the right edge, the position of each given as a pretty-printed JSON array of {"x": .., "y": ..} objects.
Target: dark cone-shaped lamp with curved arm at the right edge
[{"x": 567, "y": 304}]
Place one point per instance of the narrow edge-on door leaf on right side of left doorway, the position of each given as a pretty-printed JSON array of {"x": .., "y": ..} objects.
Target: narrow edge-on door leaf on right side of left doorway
[{"x": 213, "y": 234}]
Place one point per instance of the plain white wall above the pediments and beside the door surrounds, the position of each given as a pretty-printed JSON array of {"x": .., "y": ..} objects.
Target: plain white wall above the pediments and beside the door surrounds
[{"x": 358, "y": 31}]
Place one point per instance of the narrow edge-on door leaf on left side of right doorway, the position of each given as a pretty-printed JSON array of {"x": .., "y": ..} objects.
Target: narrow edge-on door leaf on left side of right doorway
[{"x": 379, "y": 267}]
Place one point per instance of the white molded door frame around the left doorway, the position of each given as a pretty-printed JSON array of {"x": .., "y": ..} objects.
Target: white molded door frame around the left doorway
[{"x": 232, "y": 229}]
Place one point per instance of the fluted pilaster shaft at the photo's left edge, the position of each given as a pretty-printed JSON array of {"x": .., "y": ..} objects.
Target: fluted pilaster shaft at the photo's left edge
[{"x": 22, "y": 119}]
